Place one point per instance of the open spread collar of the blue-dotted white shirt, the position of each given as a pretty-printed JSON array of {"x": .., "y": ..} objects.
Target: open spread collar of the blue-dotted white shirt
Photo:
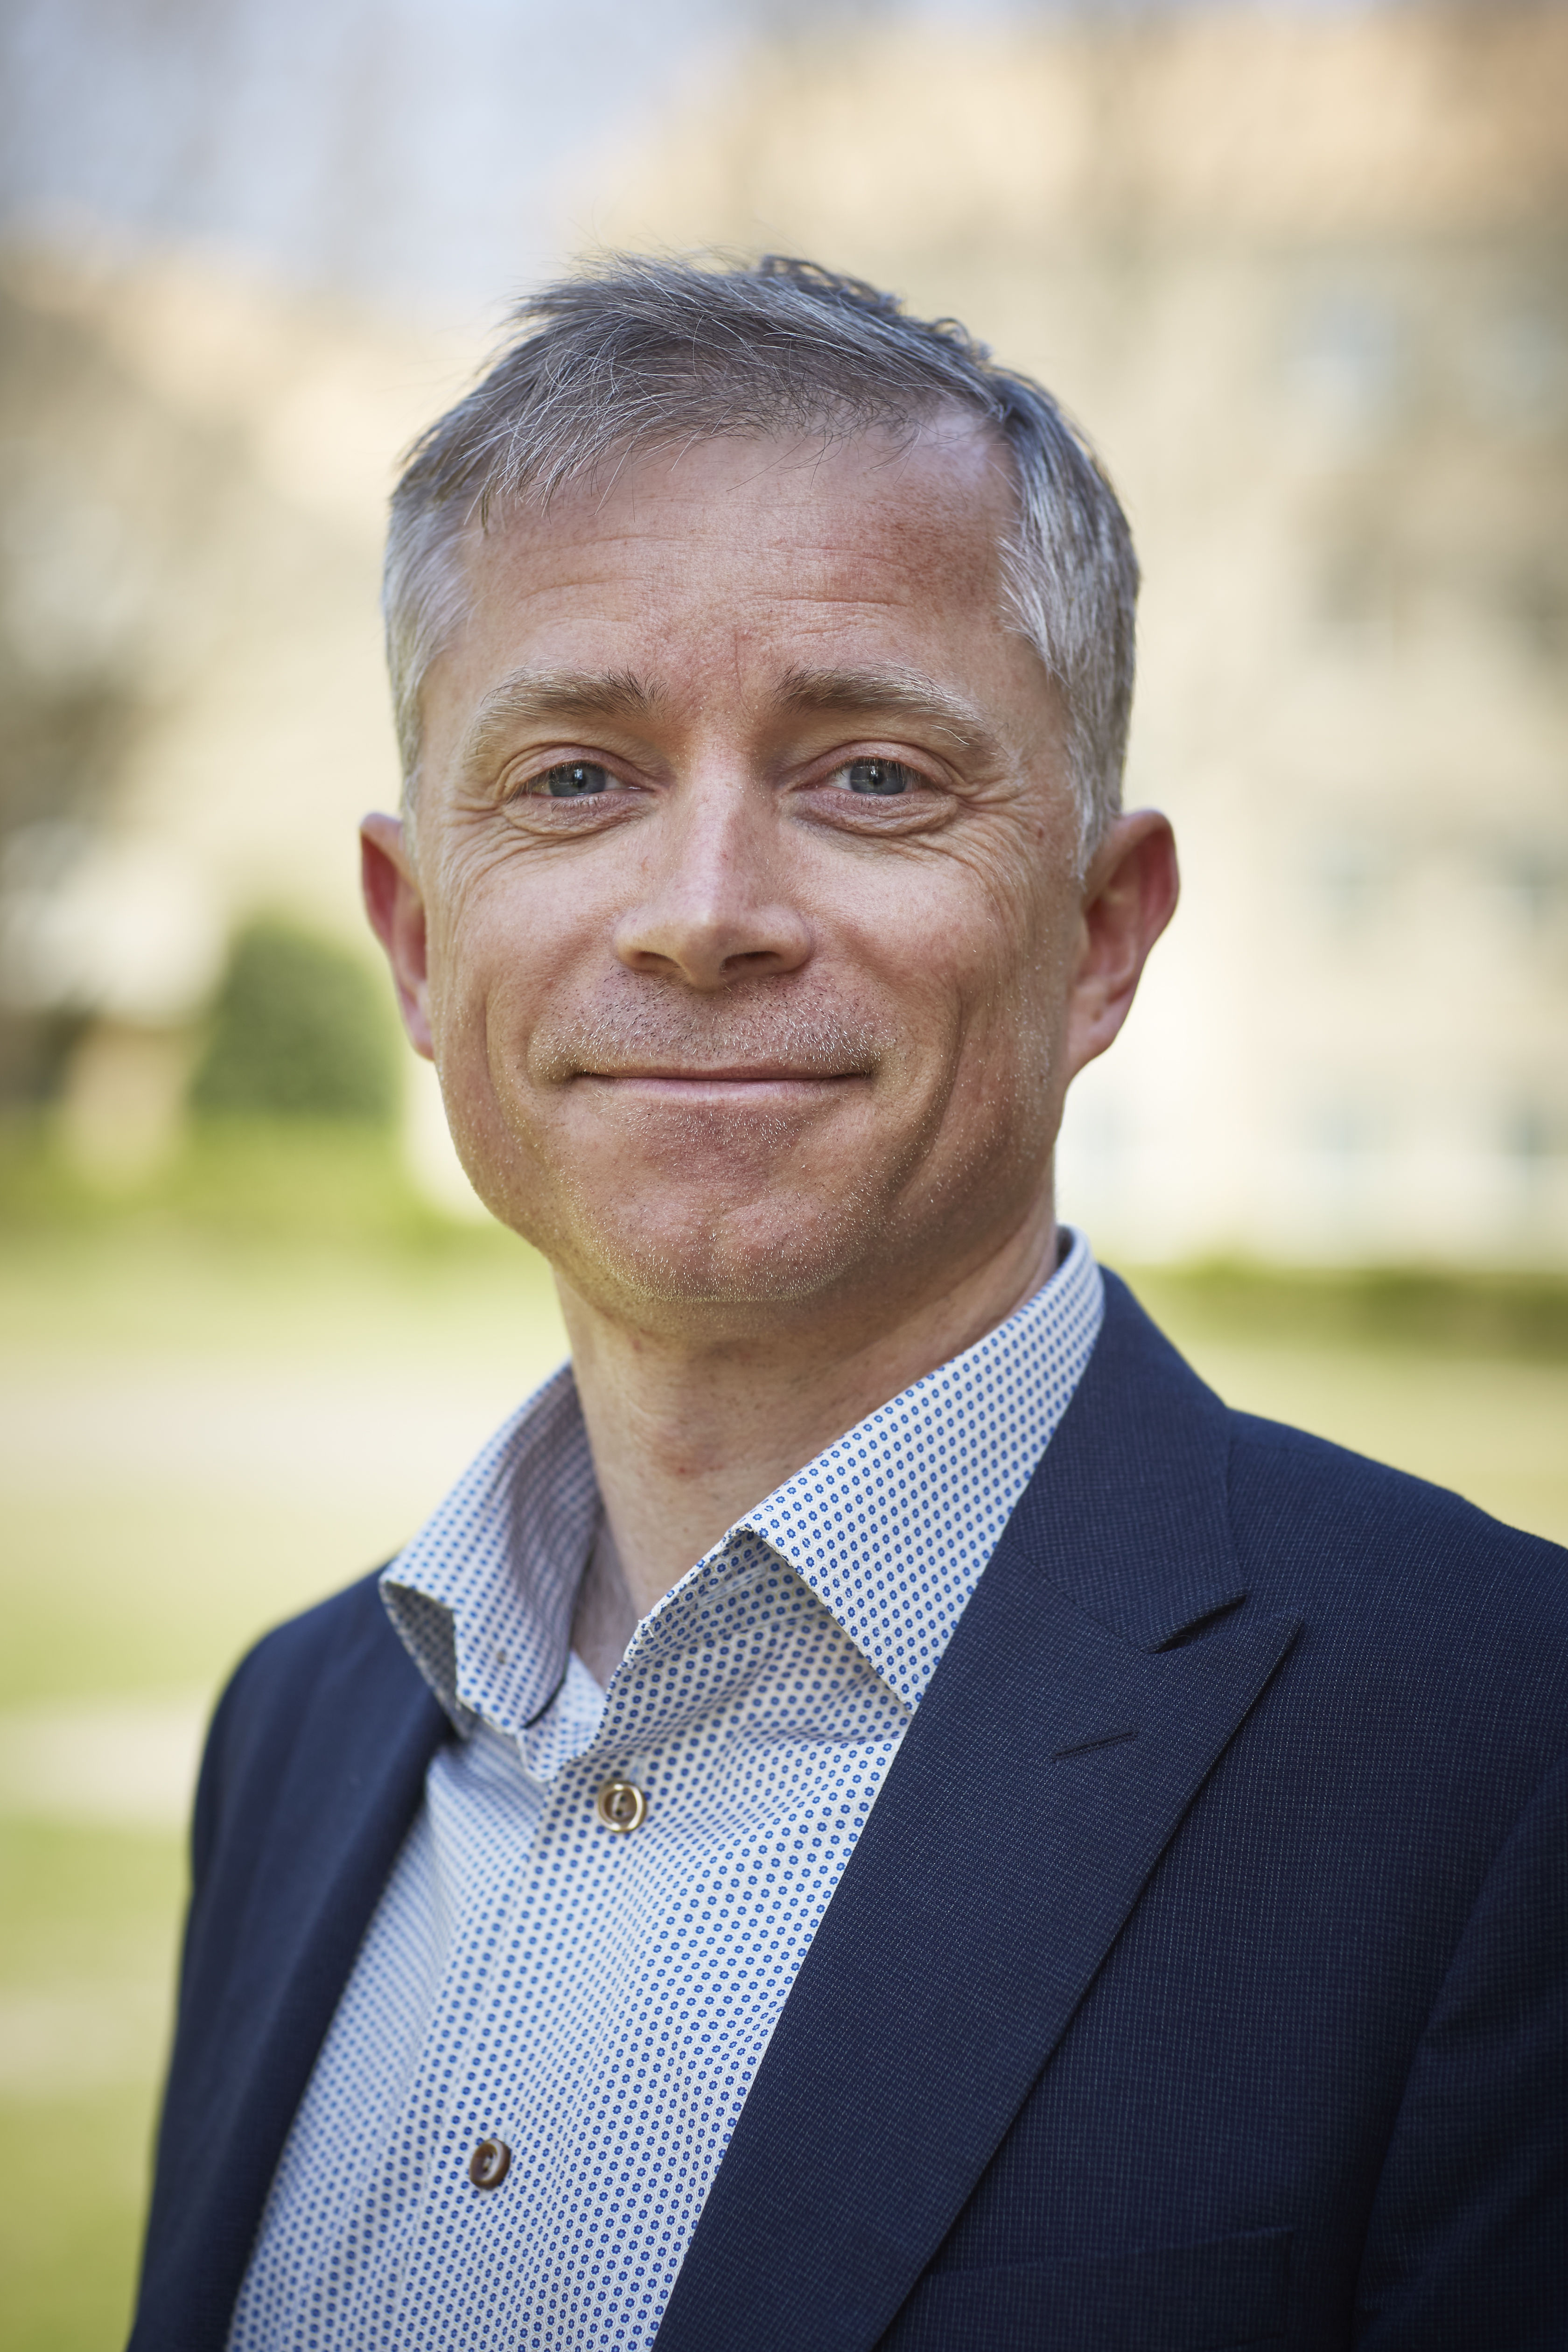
[{"x": 890, "y": 1528}]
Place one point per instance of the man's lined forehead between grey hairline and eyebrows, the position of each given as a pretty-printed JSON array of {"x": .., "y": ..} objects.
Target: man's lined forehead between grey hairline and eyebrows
[{"x": 751, "y": 554}]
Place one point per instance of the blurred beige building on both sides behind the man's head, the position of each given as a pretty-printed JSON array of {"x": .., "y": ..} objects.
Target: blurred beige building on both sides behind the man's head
[{"x": 1306, "y": 279}]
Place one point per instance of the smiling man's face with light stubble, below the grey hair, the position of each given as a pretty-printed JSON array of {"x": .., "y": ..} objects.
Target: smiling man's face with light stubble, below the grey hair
[{"x": 742, "y": 916}]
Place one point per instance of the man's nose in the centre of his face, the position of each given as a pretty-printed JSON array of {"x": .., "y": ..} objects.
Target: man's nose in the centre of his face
[{"x": 716, "y": 904}]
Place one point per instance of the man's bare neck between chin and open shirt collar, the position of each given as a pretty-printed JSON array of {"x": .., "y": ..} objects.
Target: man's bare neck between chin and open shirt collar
[{"x": 688, "y": 1434}]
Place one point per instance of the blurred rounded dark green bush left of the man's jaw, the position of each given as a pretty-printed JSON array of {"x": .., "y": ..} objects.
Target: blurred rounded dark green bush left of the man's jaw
[{"x": 300, "y": 1031}]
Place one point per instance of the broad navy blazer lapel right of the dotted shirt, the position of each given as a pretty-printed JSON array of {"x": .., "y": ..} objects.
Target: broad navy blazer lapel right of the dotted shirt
[{"x": 1092, "y": 1685}]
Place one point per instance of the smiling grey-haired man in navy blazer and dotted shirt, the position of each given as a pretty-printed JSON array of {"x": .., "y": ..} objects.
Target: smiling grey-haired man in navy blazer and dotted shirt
[{"x": 878, "y": 1812}]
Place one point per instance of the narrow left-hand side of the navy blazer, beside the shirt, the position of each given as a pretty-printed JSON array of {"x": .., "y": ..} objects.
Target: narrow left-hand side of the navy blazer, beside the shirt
[{"x": 314, "y": 1772}]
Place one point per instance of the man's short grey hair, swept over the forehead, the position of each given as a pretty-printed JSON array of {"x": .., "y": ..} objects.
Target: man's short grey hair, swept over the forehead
[{"x": 643, "y": 354}]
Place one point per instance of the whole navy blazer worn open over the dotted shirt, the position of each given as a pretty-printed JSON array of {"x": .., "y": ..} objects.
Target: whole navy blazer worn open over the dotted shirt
[{"x": 1200, "y": 1977}]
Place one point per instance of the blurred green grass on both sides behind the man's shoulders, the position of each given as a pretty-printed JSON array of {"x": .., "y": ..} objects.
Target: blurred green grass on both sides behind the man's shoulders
[{"x": 243, "y": 1384}]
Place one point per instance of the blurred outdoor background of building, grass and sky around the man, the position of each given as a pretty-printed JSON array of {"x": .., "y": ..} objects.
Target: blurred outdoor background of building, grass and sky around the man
[{"x": 1301, "y": 269}]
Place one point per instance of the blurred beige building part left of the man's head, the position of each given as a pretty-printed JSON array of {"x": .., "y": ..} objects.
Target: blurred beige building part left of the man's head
[{"x": 194, "y": 474}]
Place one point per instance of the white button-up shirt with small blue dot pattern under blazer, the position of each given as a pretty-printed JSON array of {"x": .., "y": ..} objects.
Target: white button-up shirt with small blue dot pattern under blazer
[{"x": 603, "y": 2003}]
